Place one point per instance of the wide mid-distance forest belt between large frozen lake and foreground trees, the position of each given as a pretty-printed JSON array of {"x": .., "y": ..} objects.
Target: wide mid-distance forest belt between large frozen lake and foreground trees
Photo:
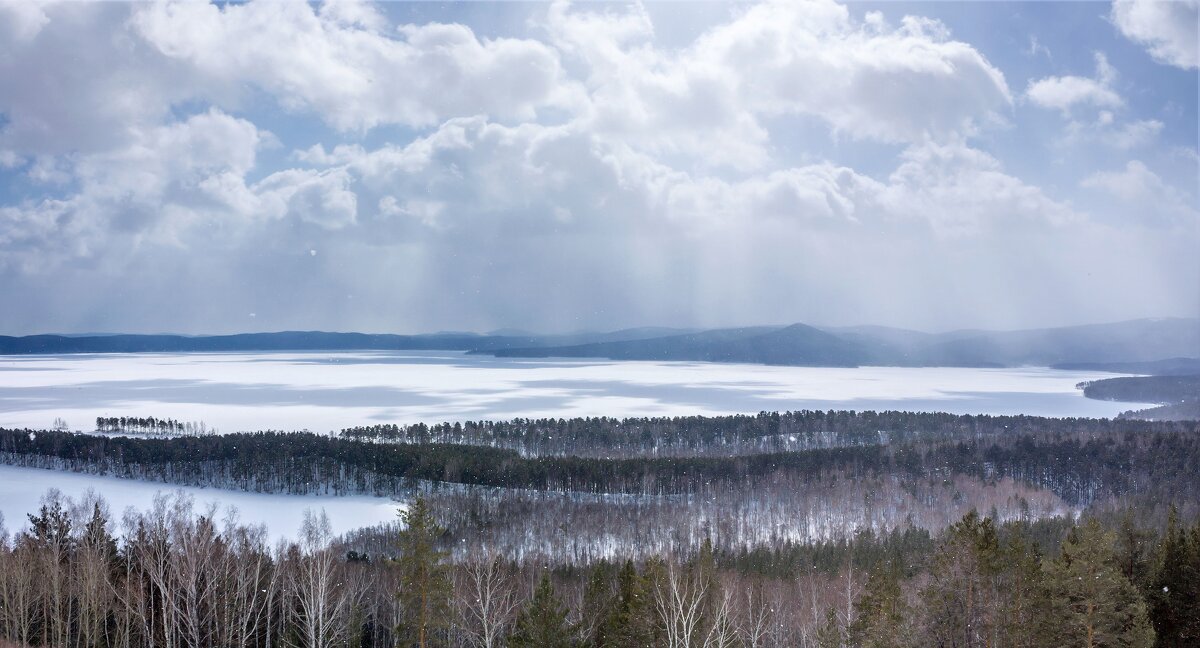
[{"x": 743, "y": 483}]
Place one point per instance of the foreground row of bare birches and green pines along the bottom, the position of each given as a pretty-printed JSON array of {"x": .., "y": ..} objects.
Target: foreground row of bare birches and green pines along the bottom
[{"x": 185, "y": 579}]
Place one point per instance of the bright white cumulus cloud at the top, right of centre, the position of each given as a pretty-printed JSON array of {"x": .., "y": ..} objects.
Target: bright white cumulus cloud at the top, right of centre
[{"x": 865, "y": 80}]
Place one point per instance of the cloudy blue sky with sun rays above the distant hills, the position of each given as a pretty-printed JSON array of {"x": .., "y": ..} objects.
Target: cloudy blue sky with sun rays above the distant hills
[{"x": 207, "y": 169}]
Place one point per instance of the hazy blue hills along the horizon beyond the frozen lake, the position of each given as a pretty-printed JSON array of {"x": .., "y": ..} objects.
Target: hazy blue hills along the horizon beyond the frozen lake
[{"x": 1143, "y": 346}]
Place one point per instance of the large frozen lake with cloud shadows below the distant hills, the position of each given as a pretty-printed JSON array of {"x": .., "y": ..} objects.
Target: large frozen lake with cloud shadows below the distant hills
[{"x": 325, "y": 392}]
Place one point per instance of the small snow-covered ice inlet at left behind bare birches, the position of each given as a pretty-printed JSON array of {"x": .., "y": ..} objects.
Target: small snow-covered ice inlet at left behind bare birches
[{"x": 22, "y": 491}]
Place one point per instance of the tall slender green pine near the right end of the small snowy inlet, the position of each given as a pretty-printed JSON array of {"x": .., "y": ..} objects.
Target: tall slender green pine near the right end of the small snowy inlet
[{"x": 425, "y": 590}]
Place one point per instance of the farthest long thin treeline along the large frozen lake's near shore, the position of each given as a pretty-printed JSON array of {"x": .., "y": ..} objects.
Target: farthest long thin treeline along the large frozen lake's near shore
[{"x": 723, "y": 436}]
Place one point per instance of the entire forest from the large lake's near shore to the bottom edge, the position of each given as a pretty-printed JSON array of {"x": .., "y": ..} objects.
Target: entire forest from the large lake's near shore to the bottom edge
[{"x": 808, "y": 529}]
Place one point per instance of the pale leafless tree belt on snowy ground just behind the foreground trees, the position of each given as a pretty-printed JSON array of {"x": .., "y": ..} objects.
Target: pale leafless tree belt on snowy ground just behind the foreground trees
[{"x": 784, "y": 517}]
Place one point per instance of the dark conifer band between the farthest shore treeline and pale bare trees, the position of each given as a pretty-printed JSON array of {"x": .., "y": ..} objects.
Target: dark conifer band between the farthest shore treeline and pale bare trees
[{"x": 1079, "y": 465}]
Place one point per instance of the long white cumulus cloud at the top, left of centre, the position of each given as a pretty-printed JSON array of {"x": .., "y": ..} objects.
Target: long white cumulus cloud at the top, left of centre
[{"x": 352, "y": 71}]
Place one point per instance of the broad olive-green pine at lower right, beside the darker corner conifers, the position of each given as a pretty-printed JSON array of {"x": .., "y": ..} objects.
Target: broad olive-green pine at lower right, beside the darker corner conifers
[{"x": 1096, "y": 605}]
